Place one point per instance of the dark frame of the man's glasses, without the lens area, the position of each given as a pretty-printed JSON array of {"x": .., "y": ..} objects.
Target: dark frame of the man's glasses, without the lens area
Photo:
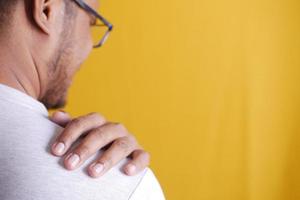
[{"x": 90, "y": 10}]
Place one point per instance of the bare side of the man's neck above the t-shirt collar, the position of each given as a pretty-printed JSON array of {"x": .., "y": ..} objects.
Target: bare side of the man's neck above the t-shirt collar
[{"x": 18, "y": 69}]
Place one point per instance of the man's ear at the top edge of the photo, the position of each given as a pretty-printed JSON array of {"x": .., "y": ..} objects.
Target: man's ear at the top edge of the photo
[{"x": 44, "y": 13}]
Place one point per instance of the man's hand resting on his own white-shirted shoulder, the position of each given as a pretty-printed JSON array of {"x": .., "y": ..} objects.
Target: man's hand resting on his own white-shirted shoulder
[{"x": 97, "y": 133}]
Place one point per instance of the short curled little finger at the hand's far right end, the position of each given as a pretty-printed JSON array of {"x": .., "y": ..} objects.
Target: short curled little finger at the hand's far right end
[{"x": 140, "y": 160}]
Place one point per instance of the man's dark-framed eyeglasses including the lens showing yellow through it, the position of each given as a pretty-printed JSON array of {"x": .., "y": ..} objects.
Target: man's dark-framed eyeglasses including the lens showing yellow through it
[{"x": 100, "y": 25}]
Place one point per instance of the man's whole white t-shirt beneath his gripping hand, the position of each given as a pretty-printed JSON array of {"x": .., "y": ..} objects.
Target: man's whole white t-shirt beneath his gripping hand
[{"x": 28, "y": 171}]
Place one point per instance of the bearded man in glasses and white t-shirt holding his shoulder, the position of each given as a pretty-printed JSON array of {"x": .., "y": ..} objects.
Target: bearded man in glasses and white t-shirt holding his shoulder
[{"x": 43, "y": 43}]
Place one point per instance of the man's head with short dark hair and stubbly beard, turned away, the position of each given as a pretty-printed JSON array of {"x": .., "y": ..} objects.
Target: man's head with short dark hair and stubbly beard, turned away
[{"x": 56, "y": 34}]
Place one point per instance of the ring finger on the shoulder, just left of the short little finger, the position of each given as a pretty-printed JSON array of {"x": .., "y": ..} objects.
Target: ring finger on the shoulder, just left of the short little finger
[{"x": 119, "y": 150}]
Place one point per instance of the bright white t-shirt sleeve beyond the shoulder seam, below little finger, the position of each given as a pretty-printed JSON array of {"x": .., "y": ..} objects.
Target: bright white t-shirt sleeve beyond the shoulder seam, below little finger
[{"x": 148, "y": 188}]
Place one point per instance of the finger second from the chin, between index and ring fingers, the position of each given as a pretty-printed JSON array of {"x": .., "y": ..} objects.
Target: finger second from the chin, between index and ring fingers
[{"x": 94, "y": 141}]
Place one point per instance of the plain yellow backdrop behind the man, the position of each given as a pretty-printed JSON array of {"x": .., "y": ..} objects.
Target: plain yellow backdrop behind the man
[{"x": 209, "y": 87}]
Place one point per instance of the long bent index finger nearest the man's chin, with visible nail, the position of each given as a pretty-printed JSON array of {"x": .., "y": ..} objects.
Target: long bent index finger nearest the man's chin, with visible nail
[{"x": 74, "y": 129}]
